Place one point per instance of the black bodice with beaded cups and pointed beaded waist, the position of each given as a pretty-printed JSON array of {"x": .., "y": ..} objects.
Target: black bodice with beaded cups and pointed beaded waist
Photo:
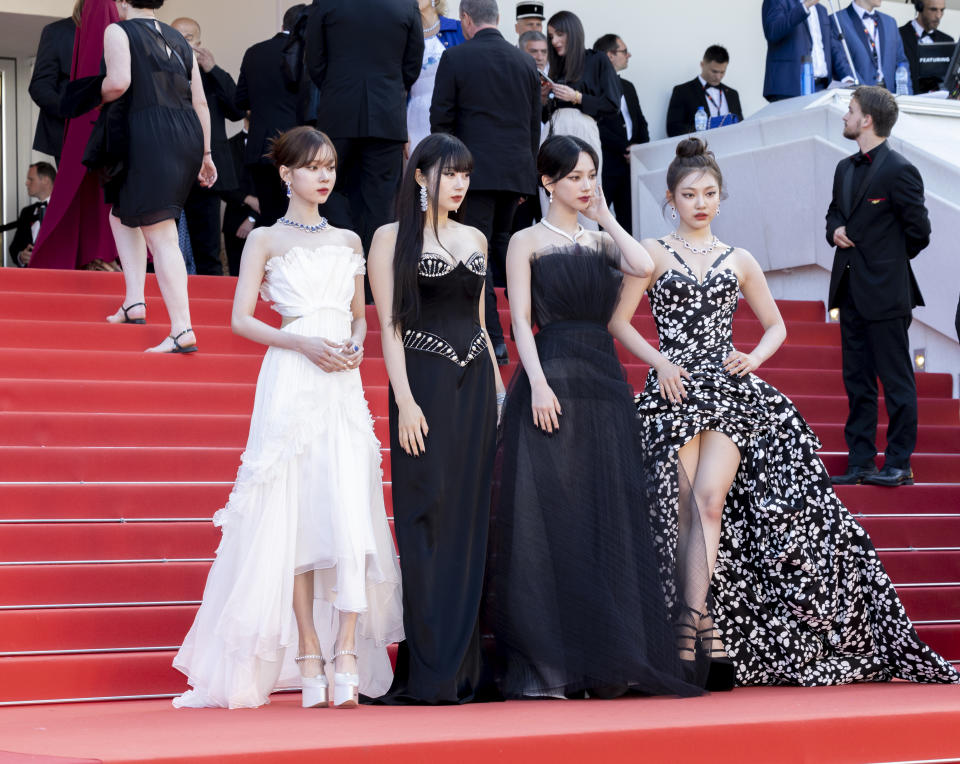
[{"x": 449, "y": 324}]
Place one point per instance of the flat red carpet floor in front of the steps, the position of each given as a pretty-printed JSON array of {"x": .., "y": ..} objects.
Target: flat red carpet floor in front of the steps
[{"x": 866, "y": 723}]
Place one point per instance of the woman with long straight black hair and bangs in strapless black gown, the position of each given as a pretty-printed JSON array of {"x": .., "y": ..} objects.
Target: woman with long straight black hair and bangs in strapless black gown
[{"x": 427, "y": 275}]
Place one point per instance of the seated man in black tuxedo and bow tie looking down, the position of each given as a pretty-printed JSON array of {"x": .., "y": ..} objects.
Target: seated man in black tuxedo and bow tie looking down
[{"x": 706, "y": 90}]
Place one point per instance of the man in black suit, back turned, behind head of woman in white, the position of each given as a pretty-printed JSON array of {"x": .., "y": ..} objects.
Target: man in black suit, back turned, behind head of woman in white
[{"x": 272, "y": 101}]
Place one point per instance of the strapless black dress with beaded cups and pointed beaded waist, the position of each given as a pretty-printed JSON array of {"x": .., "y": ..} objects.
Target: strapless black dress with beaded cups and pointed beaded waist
[{"x": 441, "y": 499}]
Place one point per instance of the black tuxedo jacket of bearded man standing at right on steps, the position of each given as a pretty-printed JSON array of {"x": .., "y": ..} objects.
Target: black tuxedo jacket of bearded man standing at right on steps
[{"x": 887, "y": 220}]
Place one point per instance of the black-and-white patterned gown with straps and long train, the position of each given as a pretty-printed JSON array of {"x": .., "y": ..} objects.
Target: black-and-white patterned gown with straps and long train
[{"x": 799, "y": 595}]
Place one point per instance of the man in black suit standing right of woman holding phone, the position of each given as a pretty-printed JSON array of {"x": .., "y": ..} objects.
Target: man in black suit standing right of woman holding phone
[{"x": 619, "y": 132}]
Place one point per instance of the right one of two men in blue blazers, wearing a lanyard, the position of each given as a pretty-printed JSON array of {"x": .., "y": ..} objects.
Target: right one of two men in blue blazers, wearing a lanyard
[{"x": 874, "y": 42}]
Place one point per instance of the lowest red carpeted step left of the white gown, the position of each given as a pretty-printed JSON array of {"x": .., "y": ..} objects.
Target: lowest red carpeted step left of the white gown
[{"x": 89, "y": 676}]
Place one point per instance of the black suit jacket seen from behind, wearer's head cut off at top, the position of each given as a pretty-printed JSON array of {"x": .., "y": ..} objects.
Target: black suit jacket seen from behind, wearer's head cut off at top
[{"x": 364, "y": 55}]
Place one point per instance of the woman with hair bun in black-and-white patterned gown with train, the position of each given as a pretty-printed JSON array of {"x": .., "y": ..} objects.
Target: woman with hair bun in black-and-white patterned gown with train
[{"x": 799, "y": 595}]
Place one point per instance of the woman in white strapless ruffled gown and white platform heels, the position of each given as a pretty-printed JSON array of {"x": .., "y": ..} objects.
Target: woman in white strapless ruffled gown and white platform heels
[{"x": 306, "y": 571}]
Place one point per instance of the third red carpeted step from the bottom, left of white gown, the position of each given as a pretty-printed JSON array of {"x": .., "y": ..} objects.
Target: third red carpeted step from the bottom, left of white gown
[{"x": 58, "y": 585}]
